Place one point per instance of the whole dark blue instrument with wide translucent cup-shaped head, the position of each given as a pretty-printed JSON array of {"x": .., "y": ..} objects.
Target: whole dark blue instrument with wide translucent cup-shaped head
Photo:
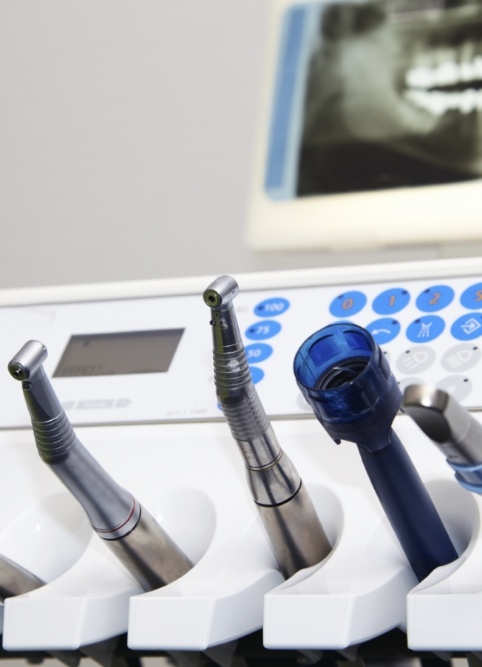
[{"x": 346, "y": 379}]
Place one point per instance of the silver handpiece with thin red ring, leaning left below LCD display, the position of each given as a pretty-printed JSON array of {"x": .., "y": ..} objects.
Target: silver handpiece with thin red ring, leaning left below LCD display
[{"x": 134, "y": 536}]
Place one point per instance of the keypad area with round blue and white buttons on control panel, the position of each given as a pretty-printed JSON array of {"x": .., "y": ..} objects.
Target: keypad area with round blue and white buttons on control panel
[{"x": 429, "y": 330}]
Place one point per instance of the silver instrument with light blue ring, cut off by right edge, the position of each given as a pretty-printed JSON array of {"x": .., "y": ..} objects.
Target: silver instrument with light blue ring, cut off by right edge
[{"x": 451, "y": 427}]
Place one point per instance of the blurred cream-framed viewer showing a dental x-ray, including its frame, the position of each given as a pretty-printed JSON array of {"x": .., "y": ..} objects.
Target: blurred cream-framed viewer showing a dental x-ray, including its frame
[{"x": 370, "y": 127}]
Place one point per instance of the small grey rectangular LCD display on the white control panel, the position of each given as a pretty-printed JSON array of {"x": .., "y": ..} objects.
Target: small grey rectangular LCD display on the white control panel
[{"x": 119, "y": 353}]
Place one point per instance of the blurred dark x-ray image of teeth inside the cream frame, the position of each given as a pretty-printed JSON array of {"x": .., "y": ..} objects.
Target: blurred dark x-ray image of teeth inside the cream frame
[{"x": 389, "y": 94}]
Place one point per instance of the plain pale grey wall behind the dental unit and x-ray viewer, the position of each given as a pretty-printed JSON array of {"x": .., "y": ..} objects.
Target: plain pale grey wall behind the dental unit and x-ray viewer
[{"x": 126, "y": 137}]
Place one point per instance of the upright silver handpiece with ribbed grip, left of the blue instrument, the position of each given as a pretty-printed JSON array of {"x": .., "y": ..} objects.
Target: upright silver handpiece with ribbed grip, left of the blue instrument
[{"x": 284, "y": 505}]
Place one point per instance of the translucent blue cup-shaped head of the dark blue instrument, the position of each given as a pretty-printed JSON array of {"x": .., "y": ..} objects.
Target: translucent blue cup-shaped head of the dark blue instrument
[{"x": 346, "y": 379}]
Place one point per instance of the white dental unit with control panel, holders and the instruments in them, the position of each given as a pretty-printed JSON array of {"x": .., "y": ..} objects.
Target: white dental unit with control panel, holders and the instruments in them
[{"x": 131, "y": 368}]
